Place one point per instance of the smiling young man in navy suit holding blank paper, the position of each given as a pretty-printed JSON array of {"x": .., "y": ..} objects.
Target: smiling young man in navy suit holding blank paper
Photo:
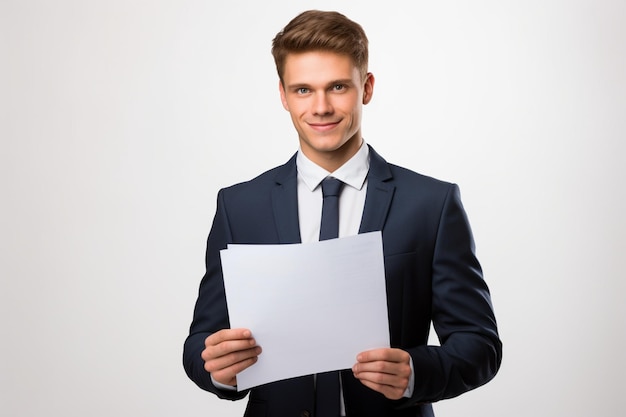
[{"x": 431, "y": 271}]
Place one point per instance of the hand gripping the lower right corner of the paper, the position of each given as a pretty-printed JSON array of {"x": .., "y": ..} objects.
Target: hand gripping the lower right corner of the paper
[{"x": 384, "y": 370}]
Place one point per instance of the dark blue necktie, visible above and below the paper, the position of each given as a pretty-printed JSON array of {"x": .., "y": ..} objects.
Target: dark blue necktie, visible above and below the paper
[{"x": 327, "y": 383}]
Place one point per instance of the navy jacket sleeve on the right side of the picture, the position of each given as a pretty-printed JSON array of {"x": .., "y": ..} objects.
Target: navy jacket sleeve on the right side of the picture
[{"x": 470, "y": 350}]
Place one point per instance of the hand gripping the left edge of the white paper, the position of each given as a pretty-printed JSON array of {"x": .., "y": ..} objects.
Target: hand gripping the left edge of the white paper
[{"x": 228, "y": 352}]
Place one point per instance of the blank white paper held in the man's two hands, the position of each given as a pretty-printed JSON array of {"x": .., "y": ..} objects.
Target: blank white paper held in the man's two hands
[{"x": 311, "y": 307}]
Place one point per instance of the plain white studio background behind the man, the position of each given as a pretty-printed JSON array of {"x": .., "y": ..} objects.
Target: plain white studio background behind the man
[{"x": 120, "y": 120}]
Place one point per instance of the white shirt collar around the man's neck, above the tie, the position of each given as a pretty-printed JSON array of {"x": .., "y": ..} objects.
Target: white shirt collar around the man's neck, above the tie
[{"x": 353, "y": 172}]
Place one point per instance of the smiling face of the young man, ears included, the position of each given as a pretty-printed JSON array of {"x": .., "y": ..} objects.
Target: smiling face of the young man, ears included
[{"x": 324, "y": 94}]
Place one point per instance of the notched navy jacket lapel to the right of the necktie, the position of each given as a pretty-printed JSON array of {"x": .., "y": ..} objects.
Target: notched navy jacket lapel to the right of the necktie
[{"x": 379, "y": 194}]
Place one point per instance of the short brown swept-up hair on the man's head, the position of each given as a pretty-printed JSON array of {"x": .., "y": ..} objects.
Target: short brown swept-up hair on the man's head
[{"x": 316, "y": 30}]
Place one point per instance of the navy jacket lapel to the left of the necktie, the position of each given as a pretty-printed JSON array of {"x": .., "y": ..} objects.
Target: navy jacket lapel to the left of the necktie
[{"x": 285, "y": 203}]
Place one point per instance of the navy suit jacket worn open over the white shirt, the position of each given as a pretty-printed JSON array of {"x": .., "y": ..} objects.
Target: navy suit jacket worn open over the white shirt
[{"x": 431, "y": 272}]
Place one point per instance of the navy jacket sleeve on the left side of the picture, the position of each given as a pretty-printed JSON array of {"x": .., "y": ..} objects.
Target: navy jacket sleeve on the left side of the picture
[{"x": 210, "y": 313}]
